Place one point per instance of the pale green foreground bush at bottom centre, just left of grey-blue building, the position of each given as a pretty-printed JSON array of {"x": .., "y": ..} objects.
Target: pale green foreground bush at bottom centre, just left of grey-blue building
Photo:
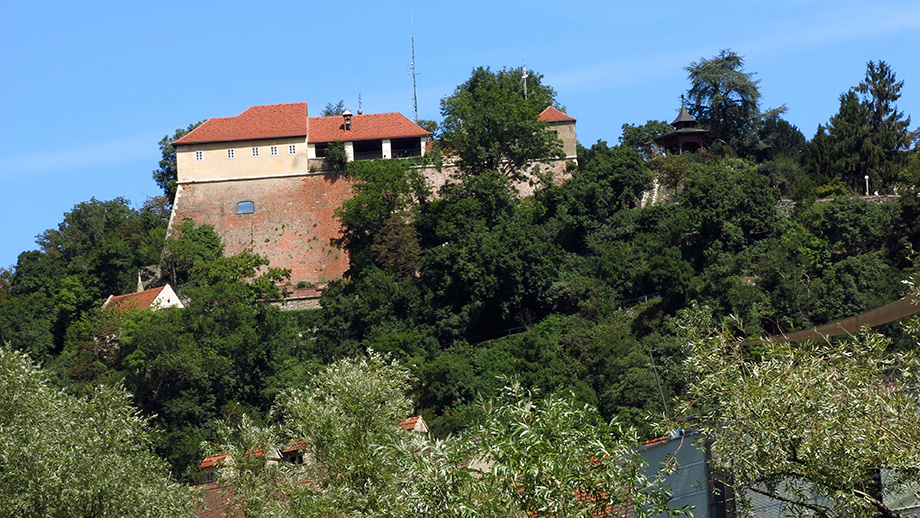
[{"x": 546, "y": 457}]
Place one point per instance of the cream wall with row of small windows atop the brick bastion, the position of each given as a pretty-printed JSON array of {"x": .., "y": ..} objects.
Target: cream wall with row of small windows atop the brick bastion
[{"x": 216, "y": 165}]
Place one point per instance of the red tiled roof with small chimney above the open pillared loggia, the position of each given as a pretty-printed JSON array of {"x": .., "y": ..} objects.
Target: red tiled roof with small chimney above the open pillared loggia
[{"x": 364, "y": 127}]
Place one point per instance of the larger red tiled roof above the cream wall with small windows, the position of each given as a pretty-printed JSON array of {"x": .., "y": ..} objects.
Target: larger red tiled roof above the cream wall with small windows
[{"x": 257, "y": 122}]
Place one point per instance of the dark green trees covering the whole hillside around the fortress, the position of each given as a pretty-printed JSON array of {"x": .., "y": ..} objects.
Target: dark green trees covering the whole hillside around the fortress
[{"x": 582, "y": 287}]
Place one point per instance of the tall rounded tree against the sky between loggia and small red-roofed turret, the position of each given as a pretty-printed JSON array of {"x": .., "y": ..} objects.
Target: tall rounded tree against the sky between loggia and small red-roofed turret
[{"x": 489, "y": 123}]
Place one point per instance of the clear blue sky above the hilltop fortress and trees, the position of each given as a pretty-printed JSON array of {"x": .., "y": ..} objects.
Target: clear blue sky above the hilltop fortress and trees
[{"x": 87, "y": 89}]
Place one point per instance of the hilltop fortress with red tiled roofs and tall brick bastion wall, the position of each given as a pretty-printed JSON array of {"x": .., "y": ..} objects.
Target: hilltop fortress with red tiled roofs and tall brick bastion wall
[{"x": 258, "y": 178}]
